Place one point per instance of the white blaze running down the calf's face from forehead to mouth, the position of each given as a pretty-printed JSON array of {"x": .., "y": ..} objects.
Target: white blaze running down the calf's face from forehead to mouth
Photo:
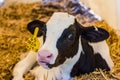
[{"x": 55, "y": 27}]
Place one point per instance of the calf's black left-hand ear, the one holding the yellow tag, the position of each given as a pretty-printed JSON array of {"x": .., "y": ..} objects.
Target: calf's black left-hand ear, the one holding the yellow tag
[{"x": 36, "y": 23}]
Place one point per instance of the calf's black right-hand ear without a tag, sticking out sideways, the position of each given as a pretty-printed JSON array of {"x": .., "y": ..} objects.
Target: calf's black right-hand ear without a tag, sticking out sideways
[{"x": 93, "y": 34}]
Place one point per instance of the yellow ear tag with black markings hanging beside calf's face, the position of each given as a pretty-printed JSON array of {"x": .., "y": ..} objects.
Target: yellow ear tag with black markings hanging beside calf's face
[{"x": 33, "y": 43}]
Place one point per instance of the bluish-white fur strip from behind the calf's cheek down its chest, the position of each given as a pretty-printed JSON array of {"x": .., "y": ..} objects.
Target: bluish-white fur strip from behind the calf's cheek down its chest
[{"x": 67, "y": 66}]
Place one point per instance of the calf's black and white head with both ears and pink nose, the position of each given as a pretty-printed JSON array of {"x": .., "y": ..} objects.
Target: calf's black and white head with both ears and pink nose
[{"x": 61, "y": 38}]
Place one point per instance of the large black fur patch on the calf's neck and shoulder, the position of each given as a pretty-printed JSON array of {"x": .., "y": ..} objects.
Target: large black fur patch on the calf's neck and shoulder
[{"x": 88, "y": 61}]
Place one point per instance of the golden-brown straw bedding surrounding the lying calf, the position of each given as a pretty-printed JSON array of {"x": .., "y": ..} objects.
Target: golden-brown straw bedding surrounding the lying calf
[{"x": 13, "y": 37}]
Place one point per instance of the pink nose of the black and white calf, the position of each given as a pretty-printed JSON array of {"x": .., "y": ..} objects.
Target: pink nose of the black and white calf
[{"x": 45, "y": 56}]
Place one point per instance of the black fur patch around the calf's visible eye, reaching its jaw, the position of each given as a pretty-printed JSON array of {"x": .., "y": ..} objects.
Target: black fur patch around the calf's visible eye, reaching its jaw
[{"x": 67, "y": 44}]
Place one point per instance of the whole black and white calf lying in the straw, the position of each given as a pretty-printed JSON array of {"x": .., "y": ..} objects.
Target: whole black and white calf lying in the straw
[{"x": 68, "y": 50}]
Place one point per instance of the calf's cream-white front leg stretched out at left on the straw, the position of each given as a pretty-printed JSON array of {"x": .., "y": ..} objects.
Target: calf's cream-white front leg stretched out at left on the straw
[{"x": 24, "y": 66}]
